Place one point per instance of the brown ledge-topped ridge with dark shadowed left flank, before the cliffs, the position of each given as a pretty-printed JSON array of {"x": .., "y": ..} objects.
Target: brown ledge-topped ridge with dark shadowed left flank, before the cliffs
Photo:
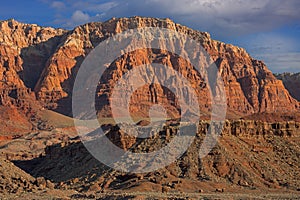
[{"x": 238, "y": 160}]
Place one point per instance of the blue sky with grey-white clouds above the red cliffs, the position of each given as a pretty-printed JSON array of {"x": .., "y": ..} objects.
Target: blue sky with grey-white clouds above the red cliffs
[{"x": 267, "y": 29}]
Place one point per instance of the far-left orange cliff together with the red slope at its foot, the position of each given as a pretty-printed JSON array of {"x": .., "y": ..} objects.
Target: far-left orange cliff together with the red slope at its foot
[{"x": 24, "y": 50}]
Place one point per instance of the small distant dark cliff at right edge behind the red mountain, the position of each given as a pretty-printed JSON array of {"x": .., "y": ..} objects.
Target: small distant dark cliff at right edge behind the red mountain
[{"x": 291, "y": 82}]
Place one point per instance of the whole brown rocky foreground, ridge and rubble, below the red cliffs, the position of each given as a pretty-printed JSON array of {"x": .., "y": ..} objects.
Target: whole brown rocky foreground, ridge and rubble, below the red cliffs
[{"x": 250, "y": 157}]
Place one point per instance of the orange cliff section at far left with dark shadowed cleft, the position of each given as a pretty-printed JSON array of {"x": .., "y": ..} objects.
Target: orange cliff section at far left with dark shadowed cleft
[{"x": 24, "y": 50}]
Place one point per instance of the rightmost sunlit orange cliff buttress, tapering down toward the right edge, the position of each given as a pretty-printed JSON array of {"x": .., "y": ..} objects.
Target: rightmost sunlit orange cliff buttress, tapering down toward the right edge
[{"x": 250, "y": 86}]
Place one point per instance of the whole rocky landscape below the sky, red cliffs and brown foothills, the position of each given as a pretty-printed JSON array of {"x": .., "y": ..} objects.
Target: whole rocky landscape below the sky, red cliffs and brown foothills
[{"x": 38, "y": 67}]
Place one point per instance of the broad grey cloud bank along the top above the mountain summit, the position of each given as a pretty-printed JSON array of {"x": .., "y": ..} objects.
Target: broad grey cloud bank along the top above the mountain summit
[{"x": 231, "y": 17}]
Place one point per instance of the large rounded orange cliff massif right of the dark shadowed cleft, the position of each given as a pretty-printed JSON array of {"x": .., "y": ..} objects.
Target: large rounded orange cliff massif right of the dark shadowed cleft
[{"x": 250, "y": 86}]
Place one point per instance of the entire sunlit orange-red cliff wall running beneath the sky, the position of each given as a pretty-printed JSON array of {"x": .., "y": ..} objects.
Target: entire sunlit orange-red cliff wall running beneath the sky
[{"x": 47, "y": 60}]
